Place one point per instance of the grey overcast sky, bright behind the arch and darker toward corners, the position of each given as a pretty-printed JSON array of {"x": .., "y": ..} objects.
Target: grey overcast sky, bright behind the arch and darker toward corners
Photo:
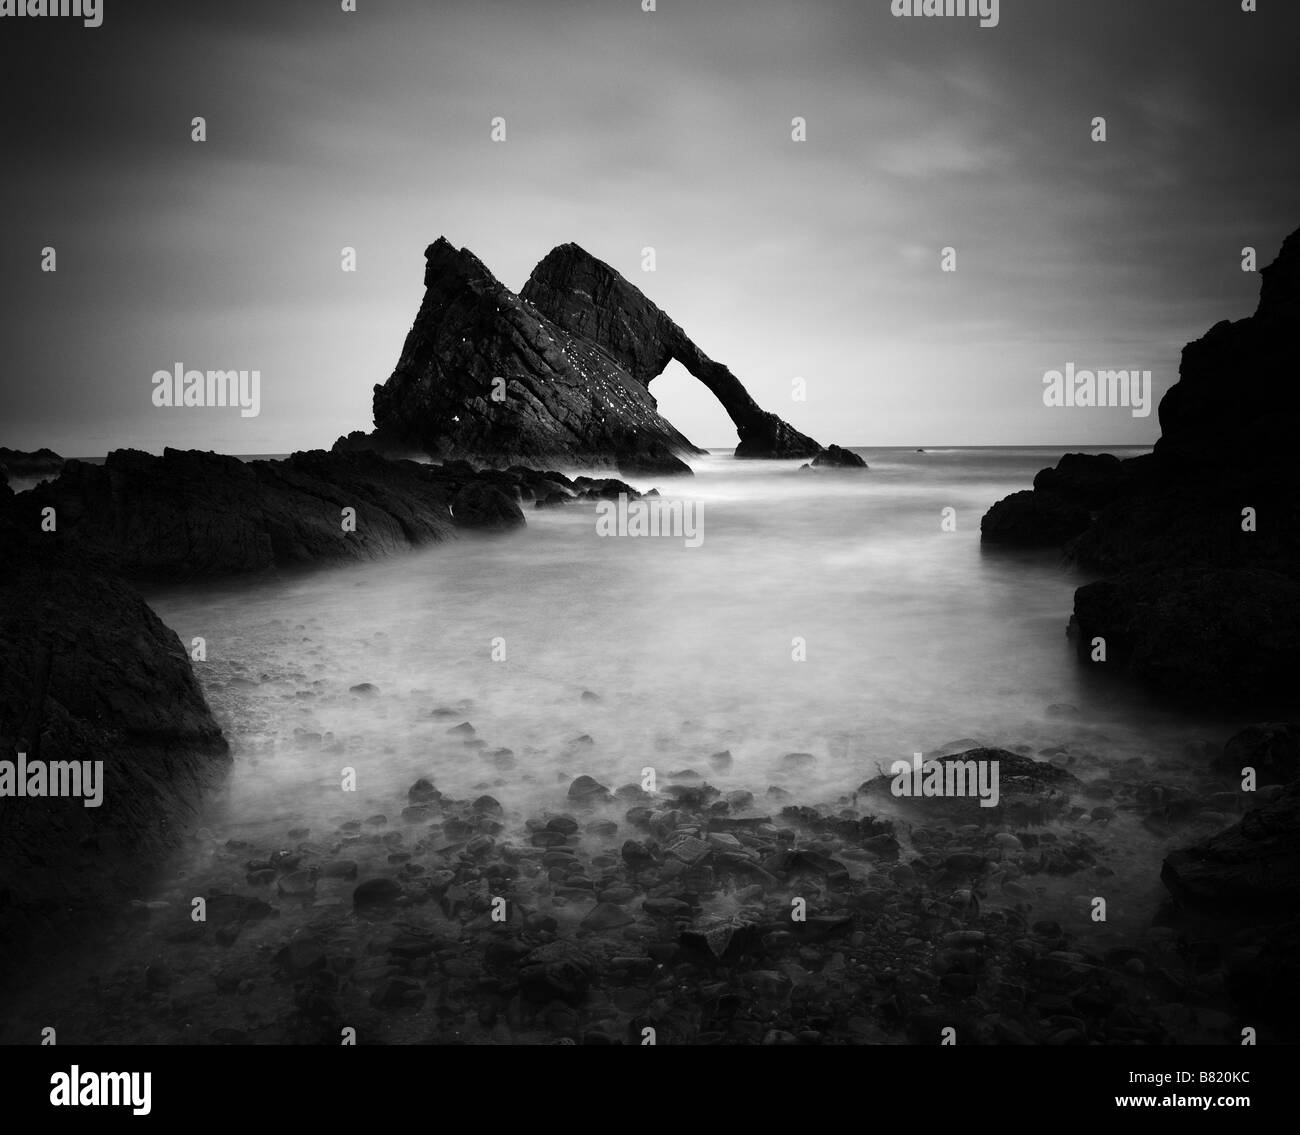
[{"x": 629, "y": 129}]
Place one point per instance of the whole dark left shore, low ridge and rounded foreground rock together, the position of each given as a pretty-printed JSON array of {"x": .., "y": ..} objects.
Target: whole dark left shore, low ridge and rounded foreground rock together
[{"x": 89, "y": 673}]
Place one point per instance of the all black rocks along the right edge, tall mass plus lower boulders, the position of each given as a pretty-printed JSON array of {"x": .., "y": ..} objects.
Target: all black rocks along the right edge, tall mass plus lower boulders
[{"x": 1198, "y": 547}]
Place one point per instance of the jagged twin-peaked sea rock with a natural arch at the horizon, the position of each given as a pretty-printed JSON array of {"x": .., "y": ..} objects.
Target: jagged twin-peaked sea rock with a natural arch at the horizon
[{"x": 577, "y": 350}]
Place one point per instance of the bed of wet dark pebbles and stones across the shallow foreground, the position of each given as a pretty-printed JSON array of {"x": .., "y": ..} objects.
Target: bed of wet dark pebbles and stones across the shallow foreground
[{"x": 690, "y": 916}]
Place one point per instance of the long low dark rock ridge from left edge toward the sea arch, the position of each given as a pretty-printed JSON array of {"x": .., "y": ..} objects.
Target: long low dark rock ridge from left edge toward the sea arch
[{"x": 193, "y": 514}]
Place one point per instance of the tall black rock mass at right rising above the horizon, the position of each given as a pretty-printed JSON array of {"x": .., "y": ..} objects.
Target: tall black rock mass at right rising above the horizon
[{"x": 1201, "y": 540}]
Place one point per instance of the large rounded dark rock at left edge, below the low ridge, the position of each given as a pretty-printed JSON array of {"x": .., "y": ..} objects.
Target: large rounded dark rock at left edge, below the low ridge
[{"x": 89, "y": 674}]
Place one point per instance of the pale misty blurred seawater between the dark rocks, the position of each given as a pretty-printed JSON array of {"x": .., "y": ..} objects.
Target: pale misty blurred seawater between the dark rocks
[{"x": 915, "y": 638}]
